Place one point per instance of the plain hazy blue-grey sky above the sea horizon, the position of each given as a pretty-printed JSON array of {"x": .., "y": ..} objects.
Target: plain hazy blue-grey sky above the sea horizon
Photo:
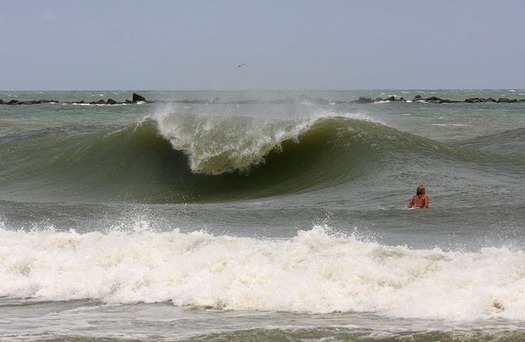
[{"x": 285, "y": 44}]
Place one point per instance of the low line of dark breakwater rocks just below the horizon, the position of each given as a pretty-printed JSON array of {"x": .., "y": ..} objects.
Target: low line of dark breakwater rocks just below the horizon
[{"x": 137, "y": 98}]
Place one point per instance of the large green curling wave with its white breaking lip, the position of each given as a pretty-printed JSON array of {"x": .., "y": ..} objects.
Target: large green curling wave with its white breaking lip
[{"x": 192, "y": 158}]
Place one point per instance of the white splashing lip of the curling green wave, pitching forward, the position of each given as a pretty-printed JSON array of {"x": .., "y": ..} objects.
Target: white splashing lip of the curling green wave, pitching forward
[{"x": 217, "y": 145}]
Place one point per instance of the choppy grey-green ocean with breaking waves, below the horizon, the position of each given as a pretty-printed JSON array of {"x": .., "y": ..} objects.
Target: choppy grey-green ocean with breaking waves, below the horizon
[{"x": 262, "y": 216}]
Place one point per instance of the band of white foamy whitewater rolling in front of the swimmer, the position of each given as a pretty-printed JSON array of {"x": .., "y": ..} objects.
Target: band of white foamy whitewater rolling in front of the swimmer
[{"x": 316, "y": 272}]
